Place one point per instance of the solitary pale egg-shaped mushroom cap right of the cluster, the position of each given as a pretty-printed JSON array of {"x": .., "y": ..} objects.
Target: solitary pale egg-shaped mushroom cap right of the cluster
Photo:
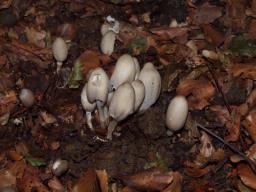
[{"x": 177, "y": 113}]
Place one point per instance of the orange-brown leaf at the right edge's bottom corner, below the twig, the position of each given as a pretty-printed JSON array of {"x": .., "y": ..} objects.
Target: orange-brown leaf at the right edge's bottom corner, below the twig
[{"x": 247, "y": 176}]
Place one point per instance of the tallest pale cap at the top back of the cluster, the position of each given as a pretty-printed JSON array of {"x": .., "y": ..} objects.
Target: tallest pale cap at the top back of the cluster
[{"x": 124, "y": 71}]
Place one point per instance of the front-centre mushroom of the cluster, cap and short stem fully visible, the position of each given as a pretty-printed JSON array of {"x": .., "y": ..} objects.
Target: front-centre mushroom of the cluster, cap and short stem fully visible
[{"x": 122, "y": 105}]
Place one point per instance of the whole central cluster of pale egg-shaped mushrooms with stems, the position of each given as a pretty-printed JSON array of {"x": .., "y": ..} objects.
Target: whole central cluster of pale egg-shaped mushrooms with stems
[{"x": 129, "y": 90}]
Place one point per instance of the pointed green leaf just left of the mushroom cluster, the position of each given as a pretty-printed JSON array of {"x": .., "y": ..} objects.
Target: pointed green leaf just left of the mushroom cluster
[{"x": 76, "y": 75}]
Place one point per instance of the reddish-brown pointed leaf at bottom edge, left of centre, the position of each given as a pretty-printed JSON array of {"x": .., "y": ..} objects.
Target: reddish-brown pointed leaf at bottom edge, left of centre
[{"x": 87, "y": 183}]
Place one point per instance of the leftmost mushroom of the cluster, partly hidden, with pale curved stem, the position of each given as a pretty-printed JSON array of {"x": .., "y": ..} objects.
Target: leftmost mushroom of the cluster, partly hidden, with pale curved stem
[{"x": 88, "y": 107}]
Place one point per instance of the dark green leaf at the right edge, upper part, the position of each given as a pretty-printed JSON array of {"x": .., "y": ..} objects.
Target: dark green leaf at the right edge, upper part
[{"x": 243, "y": 46}]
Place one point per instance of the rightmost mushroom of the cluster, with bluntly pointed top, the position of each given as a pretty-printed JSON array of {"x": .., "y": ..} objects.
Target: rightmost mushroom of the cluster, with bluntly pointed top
[{"x": 152, "y": 82}]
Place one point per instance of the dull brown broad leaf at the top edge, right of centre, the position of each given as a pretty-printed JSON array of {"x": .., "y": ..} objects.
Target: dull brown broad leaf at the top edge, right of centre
[{"x": 205, "y": 14}]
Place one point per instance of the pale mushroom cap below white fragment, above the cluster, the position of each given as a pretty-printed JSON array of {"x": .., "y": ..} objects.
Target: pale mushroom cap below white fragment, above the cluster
[{"x": 107, "y": 43}]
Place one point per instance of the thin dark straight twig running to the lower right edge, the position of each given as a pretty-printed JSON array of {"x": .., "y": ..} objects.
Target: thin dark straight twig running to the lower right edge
[{"x": 251, "y": 163}]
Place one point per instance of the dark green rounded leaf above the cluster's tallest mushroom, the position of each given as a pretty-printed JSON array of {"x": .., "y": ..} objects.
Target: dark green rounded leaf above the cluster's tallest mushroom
[{"x": 137, "y": 45}]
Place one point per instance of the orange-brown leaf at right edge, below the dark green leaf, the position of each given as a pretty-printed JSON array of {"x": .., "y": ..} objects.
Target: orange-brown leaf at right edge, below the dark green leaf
[{"x": 244, "y": 71}]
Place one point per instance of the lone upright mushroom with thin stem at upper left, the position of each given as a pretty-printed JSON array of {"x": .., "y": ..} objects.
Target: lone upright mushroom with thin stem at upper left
[{"x": 60, "y": 51}]
